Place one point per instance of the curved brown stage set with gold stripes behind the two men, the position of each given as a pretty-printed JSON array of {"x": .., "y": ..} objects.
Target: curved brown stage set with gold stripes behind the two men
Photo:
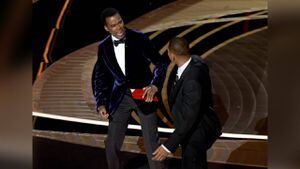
[{"x": 232, "y": 42}]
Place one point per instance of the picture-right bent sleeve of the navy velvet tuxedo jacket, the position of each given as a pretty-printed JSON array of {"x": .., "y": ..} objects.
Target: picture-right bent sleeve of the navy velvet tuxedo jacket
[{"x": 161, "y": 63}]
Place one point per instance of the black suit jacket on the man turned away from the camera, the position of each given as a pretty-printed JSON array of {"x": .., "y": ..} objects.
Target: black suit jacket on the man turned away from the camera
[{"x": 190, "y": 101}]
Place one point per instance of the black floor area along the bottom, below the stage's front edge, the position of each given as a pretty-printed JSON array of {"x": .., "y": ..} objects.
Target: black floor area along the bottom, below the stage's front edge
[{"x": 49, "y": 154}]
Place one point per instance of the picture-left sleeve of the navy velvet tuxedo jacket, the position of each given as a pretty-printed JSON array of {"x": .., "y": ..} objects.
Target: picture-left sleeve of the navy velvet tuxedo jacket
[{"x": 102, "y": 82}]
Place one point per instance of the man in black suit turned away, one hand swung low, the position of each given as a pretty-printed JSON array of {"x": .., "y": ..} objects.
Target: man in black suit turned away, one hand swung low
[{"x": 189, "y": 94}]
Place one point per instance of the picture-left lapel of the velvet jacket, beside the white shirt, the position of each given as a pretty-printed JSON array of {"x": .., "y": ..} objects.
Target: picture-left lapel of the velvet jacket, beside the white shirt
[{"x": 111, "y": 57}]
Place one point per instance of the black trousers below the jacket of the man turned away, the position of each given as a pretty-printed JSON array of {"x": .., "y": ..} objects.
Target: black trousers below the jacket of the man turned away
[{"x": 193, "y": 158}]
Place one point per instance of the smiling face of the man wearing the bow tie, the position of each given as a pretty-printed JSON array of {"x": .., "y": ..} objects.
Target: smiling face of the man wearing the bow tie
[{"x": 115, "y": 26}]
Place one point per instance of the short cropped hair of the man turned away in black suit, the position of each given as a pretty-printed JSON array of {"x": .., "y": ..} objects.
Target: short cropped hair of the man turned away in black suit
[{"x": 179, "y": 46}]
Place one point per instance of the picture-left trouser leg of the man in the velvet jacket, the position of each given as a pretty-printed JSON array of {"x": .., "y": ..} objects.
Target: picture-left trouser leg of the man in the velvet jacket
[{"x": 116, "y": 133}]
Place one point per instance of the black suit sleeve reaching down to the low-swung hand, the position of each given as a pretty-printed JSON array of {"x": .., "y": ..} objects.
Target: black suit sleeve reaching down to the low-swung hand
[{"x": 190, "y": 107}]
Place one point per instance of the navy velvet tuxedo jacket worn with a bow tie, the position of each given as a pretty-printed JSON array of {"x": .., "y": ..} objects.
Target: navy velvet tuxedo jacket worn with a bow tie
[{"x": 109, "y": 82}]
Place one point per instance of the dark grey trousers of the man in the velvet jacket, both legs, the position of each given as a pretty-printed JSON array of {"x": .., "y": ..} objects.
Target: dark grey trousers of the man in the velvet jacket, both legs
[{"x": 117, "y": 128}]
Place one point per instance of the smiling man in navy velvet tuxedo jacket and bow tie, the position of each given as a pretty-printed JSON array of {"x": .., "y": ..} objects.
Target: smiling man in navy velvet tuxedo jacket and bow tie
[{"x": 123, "y": 64}]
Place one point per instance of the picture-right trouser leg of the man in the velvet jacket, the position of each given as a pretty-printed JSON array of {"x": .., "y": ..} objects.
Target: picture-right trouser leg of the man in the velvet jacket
[{"x": 151, "y": 139}]
